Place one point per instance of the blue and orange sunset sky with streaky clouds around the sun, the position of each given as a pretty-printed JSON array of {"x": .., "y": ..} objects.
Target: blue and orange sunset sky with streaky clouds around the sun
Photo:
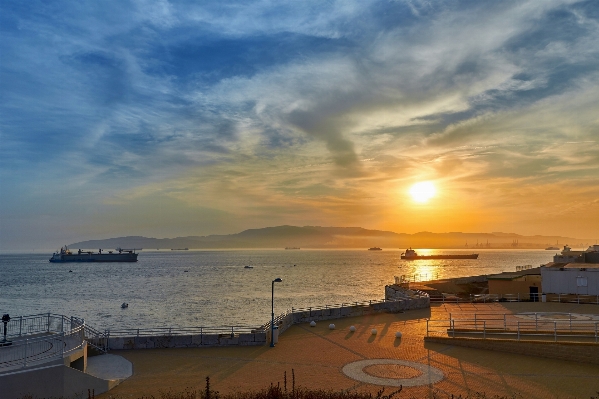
[{"x": 178, "y": 118}]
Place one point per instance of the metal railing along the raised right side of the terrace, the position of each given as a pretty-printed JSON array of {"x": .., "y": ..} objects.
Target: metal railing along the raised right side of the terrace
[{"x": 550, "y": 326}]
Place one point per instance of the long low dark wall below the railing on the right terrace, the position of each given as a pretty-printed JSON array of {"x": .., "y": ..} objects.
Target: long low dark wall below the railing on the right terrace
[{"x": 572, "y": 351}]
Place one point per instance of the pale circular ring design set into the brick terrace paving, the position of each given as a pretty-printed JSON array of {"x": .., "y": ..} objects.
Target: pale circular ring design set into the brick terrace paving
[{"x": 392, "y": 372}]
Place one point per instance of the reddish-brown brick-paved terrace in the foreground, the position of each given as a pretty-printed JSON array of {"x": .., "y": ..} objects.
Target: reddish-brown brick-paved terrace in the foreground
[{"x": 323, "y": 358}]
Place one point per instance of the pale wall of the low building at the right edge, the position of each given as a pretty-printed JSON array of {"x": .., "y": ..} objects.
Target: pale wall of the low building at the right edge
[{"x": 556, "y": 281}]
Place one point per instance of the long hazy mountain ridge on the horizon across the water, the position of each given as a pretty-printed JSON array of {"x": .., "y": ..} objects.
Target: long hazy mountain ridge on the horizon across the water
[{"x": 335, "y": 237}]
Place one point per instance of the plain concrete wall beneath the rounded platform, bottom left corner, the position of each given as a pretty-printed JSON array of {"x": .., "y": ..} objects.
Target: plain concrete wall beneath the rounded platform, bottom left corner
[{"x": 51, "y": 381}]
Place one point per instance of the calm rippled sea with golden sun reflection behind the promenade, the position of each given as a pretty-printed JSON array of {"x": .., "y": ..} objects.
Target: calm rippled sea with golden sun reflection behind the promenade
[{"x": 212, "y": 288}]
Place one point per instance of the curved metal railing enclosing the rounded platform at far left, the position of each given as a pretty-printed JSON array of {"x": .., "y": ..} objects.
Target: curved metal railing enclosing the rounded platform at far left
[{"x": 42, "y": 342}]
